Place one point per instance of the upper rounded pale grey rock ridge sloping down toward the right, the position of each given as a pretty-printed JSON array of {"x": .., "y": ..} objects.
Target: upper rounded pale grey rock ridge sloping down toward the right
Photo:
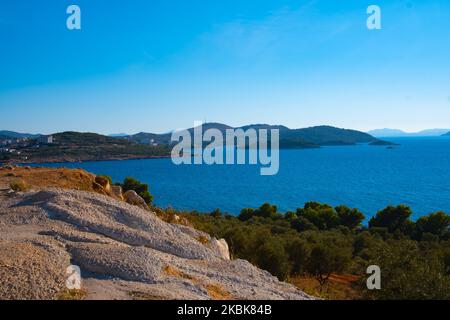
[{"x": 124, "y": 223}]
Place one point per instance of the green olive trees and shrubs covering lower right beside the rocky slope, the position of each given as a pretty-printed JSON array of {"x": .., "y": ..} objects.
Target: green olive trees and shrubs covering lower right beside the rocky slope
[{"x": 321, "y": 242}]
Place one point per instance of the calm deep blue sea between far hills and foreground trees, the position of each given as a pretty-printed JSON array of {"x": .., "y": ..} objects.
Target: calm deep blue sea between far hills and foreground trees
[{"x": 369, "y": 178}]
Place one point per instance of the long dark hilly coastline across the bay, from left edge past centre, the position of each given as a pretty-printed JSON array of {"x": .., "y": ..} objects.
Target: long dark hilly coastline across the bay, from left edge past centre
[{"x": 77, "y": 146}]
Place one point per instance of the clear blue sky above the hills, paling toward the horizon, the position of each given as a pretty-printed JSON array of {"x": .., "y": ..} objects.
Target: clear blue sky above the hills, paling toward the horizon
[{"x": 156, "y": 65}]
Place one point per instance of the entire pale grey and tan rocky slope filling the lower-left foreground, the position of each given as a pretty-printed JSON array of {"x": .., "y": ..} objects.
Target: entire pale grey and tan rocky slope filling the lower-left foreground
[{"x": 124, "y": 252}]
